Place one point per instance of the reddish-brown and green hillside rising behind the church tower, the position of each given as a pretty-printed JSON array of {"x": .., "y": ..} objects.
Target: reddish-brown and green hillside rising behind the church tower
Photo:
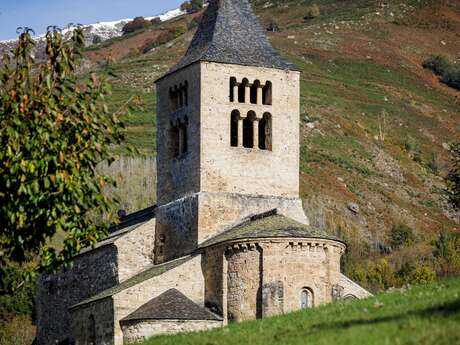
[{"x": 375, "y": 125}]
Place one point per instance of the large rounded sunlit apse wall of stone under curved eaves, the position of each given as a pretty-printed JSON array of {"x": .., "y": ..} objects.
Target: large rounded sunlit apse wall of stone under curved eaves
[{"x": 266, "y": 277}]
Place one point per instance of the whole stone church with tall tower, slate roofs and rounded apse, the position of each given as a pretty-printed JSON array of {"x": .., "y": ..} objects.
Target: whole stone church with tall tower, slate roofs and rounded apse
[{"x": 229, "y": 240}]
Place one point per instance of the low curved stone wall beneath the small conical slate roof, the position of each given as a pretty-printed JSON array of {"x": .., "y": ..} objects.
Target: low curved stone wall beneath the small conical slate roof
[{"x": 136, "y": 332}]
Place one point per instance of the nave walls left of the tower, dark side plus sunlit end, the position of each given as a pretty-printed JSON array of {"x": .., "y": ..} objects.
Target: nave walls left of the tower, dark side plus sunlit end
[{"x": 93, "y": 272}]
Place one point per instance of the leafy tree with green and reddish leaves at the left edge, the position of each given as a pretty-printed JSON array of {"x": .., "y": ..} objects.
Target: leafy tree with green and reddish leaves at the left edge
[{"x": 54, "y": 130}]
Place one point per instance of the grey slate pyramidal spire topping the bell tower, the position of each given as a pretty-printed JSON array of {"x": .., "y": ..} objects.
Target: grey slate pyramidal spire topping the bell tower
[{"x": 230, "y": 33}]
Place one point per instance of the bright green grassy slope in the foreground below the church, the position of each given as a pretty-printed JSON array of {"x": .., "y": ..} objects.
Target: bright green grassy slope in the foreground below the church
[{"x": 422, "y": 315}]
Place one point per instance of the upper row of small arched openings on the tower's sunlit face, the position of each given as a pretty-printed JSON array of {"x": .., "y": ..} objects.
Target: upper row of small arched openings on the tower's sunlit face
[{"x": 255, "y": 93}]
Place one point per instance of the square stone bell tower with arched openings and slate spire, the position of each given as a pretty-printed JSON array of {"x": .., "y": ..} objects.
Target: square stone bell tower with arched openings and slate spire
[{"x": 228, "y": 132}]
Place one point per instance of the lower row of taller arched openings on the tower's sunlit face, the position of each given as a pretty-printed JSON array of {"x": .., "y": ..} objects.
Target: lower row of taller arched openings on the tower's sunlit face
[{"x": 250, "y": 131}]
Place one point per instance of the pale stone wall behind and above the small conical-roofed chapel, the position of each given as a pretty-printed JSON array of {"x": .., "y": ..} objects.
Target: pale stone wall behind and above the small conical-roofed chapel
[{"x": 188, "y": 278}]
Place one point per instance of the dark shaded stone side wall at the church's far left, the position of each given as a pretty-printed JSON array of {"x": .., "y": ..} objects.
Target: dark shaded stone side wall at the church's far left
[{"x": 92, "y": 273}]
